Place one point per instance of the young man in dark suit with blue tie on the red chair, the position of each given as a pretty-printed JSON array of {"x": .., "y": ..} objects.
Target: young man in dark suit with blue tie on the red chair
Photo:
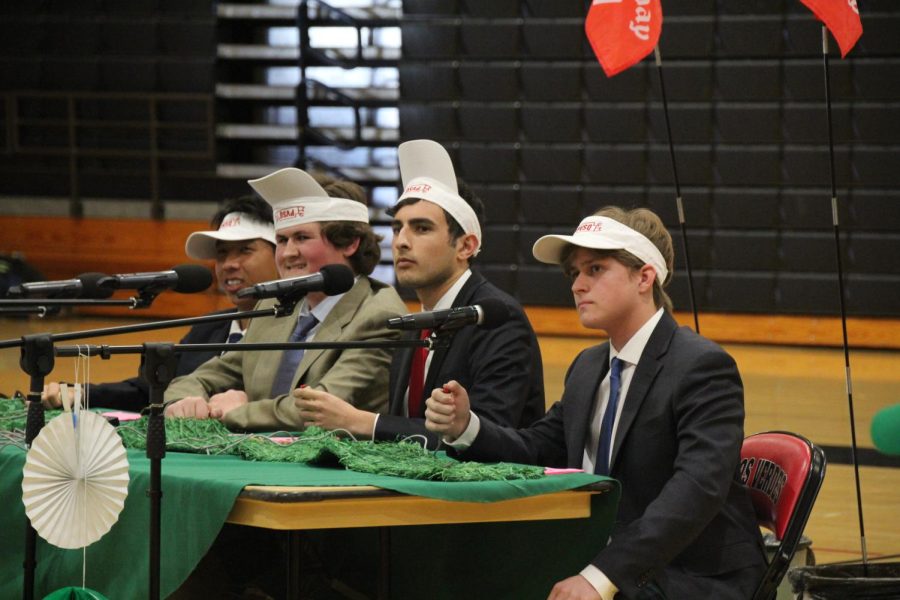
[{"x": 657, "y": 407}]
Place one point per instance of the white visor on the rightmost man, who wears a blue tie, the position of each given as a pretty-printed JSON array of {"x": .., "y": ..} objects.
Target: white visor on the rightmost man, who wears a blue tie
[{"x": 602, "y": 233}]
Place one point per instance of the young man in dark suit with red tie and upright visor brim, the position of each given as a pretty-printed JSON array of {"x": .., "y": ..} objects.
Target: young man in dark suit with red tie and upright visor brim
[{"x": 437, "y": 232}]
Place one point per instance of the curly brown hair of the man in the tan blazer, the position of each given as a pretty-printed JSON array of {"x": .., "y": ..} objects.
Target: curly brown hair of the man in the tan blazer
[{"x": 343, "y": 233}]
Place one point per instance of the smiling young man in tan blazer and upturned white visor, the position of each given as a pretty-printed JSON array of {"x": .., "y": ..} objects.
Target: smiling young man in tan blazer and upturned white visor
[{"x": 249, "y": 390}]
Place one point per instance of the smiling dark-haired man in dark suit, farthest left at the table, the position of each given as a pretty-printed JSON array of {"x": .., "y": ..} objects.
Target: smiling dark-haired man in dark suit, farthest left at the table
[{"x": 242, "y": 244}]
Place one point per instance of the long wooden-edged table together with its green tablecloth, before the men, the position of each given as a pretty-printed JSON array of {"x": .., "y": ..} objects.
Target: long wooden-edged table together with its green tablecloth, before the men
[{"x": 201, "y": 492}]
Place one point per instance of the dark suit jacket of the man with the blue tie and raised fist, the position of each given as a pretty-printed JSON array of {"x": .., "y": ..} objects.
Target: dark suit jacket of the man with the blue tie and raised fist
[{"x": 684, "y": 520}]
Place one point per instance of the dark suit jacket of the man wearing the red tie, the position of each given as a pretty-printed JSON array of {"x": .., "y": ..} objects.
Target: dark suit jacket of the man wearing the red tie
[{"x": 501, "y": 369}]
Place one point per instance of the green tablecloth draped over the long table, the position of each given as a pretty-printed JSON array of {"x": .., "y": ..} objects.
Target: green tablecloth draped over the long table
[{"x": 199, "y": 491}]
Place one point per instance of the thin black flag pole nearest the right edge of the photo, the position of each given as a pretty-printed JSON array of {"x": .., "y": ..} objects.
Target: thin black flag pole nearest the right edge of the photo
[{"x": 840, "y": 275}]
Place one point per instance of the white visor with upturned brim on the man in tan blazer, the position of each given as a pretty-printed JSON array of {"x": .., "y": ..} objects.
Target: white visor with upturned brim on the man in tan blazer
[{"x": 297, "y": 198}]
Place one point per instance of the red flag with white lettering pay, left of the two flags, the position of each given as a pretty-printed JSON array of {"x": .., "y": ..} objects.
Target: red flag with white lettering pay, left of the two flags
[{"x": 622, "y": 32}]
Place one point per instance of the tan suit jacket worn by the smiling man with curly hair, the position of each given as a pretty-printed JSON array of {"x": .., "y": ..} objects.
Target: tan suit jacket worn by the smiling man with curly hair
[{"x": 358, "y": 376}]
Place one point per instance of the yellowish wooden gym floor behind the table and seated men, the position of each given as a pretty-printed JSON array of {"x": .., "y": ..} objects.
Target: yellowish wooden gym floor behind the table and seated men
[{"x": 789, "y": 388}]
